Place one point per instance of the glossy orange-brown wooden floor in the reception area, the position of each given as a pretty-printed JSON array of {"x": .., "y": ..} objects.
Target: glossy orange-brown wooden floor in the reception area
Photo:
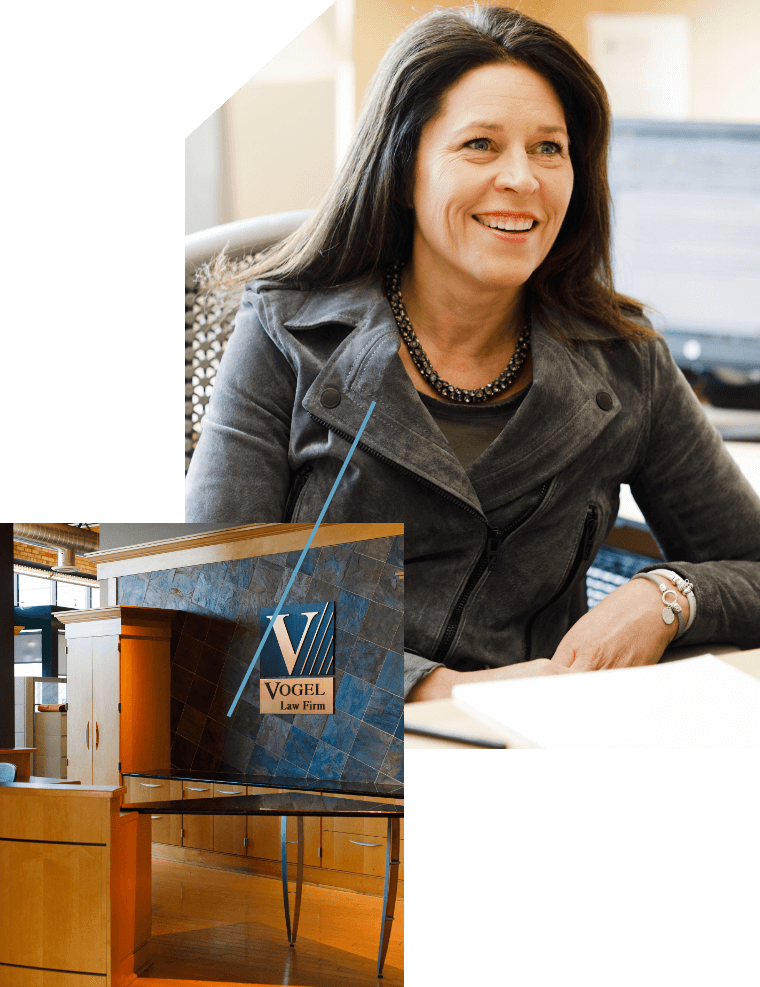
[{"x": 212, "y": 925}]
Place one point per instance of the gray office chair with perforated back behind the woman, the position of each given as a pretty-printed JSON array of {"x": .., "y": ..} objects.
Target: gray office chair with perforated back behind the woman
[{"x": 209, "y": 321}]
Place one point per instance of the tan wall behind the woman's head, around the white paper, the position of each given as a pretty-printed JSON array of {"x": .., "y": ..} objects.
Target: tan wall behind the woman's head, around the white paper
[{"x": 725, "y": 77}]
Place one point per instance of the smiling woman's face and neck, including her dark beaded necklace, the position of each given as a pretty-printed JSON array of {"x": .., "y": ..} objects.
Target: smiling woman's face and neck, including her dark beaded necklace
[{"x": 462, "y": 289}]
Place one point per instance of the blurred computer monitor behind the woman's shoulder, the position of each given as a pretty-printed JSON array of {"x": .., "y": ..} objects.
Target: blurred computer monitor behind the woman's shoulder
[{"x": 686, "y": 235}]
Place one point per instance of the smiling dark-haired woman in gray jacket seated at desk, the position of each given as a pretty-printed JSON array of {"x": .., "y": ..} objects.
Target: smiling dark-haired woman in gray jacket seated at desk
[{"x": 456, "y": 279}]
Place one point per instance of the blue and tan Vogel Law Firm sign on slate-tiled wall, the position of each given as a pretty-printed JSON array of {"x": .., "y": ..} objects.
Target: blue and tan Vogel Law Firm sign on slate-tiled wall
[{"x": 297, "y": 665}]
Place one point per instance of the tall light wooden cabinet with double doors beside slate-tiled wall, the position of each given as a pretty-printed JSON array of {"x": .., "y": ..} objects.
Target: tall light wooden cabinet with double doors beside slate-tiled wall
[{"x": 119, "y": 672}]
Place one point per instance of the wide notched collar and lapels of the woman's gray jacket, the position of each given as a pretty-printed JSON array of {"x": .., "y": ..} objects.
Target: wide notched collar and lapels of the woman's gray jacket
[{"x": 558, "y": 418}]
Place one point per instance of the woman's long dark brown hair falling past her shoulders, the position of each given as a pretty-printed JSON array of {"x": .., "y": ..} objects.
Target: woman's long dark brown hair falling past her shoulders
[{"x": 362, "y": 224}]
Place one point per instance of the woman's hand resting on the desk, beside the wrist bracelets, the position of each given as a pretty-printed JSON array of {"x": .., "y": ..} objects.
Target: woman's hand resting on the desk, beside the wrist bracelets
[{"x": 624, "y": 629}]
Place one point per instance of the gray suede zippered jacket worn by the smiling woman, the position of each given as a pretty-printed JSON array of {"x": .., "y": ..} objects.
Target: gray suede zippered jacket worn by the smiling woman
[{"x": 495, "y": 556}]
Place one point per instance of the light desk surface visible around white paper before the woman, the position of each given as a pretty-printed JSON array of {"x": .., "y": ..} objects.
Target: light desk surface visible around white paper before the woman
[{"x": 445, "y": 716}]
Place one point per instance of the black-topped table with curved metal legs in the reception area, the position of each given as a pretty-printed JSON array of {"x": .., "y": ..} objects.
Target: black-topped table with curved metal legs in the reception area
[{"x": 301, "y": 804}]
